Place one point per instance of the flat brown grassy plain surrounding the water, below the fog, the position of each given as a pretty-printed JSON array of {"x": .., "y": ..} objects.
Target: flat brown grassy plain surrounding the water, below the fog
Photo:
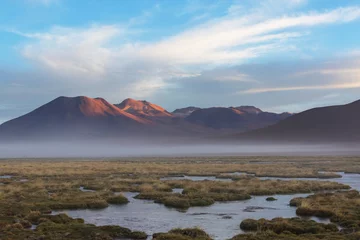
[{"x": 33, "y": 191}]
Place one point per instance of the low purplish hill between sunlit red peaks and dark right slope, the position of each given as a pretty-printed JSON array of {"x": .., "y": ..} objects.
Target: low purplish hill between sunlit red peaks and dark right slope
[{"x": 240, "y": 118}]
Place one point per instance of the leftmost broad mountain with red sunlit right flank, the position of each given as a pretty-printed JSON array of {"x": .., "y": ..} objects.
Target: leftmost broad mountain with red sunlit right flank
[{"x": 72, "y": 116}]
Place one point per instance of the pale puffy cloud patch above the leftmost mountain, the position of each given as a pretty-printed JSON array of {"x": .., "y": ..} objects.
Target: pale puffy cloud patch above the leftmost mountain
[{"x": 71, "y": 51}]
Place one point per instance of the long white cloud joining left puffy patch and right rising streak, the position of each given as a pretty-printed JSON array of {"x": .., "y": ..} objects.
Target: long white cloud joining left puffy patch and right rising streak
[{"x": 225, "y": 40}]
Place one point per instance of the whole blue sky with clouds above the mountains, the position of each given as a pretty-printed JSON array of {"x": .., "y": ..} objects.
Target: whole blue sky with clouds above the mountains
[{"x": 278, "y": 55}]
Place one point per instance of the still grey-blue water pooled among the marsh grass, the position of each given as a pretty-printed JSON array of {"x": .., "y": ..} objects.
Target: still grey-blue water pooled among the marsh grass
[{"x": 220, "y": 220}]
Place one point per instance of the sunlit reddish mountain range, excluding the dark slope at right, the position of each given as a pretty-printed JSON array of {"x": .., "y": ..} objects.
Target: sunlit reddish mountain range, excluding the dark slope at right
[{"x": 84, "y": 117}]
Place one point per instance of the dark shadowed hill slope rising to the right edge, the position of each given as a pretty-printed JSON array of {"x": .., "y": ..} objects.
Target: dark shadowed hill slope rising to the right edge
[{"x": 325, "y": 124}]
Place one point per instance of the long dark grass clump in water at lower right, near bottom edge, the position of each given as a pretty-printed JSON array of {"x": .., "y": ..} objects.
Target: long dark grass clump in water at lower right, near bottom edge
[{"x": 293, "y": 225}]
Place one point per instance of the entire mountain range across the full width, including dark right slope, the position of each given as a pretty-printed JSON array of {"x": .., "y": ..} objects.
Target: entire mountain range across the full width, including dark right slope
[{"x": 92, "y": 118}]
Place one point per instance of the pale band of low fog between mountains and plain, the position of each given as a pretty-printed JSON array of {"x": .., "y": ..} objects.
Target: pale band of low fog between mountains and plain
[{"x": 140, "y": 149}]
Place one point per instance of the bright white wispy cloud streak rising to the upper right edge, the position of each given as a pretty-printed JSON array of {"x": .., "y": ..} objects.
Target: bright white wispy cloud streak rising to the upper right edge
[{"x": 225, "y": 40}]
